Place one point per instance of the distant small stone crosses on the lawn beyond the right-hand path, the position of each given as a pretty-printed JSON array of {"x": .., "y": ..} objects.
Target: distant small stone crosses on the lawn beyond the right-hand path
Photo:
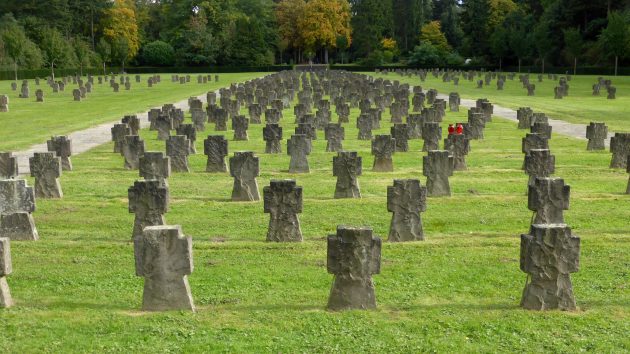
[{"x": 560, "y": 91}]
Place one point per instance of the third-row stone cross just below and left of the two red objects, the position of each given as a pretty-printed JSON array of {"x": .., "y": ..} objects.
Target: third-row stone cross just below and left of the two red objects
[{"x": 437, "y": 166}]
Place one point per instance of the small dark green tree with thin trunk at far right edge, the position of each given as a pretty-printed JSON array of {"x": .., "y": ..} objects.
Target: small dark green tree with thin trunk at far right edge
[{"x": 615, "y": 38}]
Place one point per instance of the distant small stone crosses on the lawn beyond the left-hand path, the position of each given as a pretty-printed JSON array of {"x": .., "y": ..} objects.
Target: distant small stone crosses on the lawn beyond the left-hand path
[{"x": 84, "y": 87}]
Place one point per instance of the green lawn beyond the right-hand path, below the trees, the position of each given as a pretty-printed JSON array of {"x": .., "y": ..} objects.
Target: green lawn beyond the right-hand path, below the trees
[{"x": 579, "y": 107}]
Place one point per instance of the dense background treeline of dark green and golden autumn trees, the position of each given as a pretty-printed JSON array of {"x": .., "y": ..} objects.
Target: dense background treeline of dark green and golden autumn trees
[{"x": 98, "y": 33}]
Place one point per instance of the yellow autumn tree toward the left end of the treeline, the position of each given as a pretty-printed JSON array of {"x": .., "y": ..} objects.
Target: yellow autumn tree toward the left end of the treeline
[{"x": 120, "y": 27}]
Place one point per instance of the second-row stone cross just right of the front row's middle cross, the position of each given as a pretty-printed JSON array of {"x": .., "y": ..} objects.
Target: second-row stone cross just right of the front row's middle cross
[{"x": 406, "y": 199}]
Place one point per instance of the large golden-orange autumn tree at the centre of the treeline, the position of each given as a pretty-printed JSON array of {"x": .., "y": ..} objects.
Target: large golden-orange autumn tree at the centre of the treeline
[{"x": 322, "y": 22}]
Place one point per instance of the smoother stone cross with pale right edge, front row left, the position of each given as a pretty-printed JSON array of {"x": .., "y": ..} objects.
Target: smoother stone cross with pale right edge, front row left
[{"x": 164, "y": 258}]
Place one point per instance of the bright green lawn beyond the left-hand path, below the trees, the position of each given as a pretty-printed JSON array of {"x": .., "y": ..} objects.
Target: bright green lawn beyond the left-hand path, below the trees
[{"x": 29, "y": 122}]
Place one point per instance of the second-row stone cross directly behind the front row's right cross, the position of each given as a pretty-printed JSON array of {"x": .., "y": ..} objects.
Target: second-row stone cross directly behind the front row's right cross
[{"x": 548, "y": 198}]
